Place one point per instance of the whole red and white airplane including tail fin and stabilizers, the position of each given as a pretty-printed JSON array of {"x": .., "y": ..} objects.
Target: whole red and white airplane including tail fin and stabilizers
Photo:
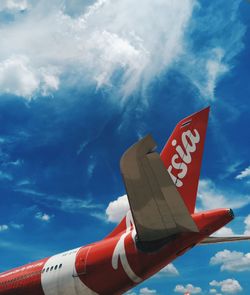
[{"x": 160, "y": 226}]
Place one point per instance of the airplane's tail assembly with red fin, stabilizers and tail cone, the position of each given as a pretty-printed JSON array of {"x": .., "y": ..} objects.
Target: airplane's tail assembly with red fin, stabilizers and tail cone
[{"x": 162, "y": 189}]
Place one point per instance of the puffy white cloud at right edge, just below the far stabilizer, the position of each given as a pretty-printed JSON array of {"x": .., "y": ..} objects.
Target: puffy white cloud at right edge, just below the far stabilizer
[{"x": 231, "y": 261}]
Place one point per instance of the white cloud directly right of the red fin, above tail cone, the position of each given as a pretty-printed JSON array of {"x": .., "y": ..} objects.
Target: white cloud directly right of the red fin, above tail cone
[{"x": 210, "y": 197}]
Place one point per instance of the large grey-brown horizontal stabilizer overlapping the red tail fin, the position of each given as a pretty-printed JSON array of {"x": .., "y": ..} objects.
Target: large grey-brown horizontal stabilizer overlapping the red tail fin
[{"x": 158, "y": 209}]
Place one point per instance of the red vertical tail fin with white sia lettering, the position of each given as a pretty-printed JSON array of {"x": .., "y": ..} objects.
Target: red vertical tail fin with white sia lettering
[{"x": 182, "y": 155}]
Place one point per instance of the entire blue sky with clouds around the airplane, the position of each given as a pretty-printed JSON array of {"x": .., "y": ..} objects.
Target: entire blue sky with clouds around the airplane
[{"x": 80, "y": 81}]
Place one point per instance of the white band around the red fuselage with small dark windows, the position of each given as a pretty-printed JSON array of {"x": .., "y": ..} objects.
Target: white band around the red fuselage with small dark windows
[{"x": 64, "y": 280}]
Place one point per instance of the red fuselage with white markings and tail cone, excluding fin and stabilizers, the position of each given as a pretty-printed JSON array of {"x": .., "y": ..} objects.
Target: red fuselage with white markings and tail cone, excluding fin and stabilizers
[{"x": 111, "y": 266}]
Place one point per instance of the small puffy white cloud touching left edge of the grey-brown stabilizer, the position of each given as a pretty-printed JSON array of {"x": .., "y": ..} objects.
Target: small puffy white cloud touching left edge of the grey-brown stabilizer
[{"x": 117, "y": 209}]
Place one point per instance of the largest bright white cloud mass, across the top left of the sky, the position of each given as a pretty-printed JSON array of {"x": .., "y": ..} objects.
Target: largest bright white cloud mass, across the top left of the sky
[{"x": 97, "y": 44}]
